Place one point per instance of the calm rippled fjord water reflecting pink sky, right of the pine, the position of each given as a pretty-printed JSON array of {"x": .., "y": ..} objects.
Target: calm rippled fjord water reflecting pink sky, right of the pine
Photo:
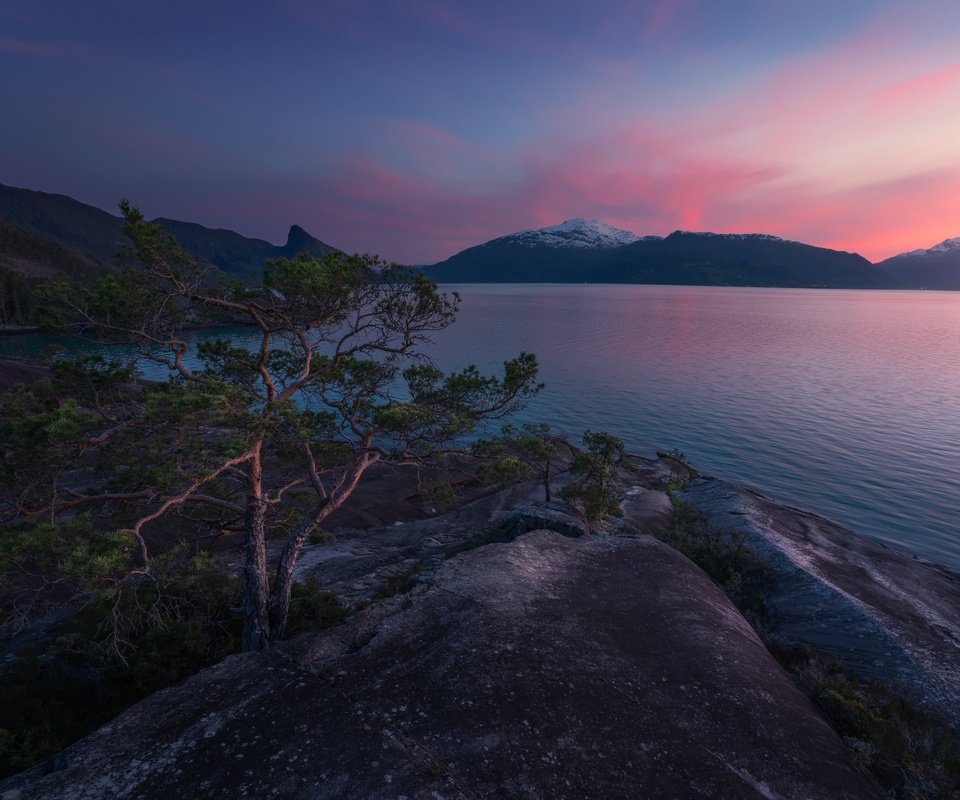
[{"x": 843, "y": 402}]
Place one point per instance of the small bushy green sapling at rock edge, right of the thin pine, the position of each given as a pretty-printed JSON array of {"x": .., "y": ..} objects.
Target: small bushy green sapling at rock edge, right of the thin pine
[{"x": 597, "y": 485}]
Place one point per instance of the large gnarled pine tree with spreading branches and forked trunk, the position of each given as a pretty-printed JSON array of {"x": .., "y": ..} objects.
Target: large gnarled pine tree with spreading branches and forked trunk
[{"x": 271, "y": 440}]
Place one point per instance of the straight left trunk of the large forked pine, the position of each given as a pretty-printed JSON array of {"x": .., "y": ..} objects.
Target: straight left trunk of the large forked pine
[{"x": 256, "y": 622}]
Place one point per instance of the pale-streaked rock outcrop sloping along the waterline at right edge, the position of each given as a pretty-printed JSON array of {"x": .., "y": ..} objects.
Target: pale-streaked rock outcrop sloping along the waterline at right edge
[{"x": 886, "y": 615}]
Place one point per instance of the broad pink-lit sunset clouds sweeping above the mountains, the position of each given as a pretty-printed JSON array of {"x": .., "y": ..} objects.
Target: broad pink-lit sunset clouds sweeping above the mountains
[{"x": 788, "y": 155}]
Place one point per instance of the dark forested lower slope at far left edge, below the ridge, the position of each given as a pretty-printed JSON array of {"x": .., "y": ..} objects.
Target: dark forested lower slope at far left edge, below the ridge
[{"x": 26, "y": 261}]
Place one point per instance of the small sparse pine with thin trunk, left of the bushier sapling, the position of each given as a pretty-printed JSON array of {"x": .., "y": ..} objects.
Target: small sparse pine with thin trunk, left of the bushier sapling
[{"x": 518, "y": 453}]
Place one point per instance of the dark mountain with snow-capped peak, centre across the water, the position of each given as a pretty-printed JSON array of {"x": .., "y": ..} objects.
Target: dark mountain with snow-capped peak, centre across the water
[{"x": 579, "y": 251}]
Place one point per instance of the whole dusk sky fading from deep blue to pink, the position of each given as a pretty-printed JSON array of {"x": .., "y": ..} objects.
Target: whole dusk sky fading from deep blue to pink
[{"x": 415, "y": 129}]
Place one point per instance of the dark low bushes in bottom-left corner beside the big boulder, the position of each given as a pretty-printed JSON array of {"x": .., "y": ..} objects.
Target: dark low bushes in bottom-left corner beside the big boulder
[{"x": 117, "y": 649}]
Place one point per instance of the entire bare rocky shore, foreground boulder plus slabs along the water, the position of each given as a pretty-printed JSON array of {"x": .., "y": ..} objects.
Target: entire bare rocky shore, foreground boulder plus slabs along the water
[{"x": 504, "y": 650}]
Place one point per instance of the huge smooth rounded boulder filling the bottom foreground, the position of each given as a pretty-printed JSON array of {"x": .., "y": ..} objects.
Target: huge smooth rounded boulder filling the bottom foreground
[{"x": 602, "y": 667}]
